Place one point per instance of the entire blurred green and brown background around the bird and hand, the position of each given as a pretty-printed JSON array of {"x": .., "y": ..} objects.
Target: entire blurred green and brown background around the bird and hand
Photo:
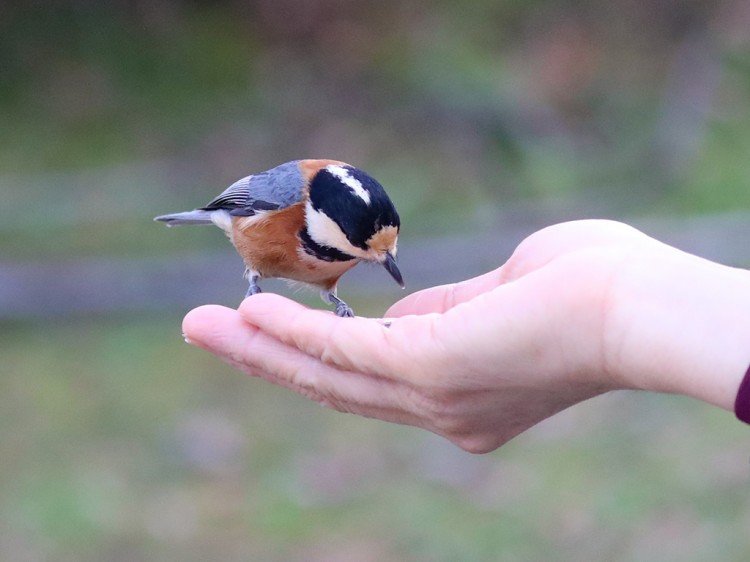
[{"x": 485, "y": 120}]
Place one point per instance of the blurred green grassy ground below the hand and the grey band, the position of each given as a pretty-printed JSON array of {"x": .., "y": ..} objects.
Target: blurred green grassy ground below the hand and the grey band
[{"x": 121, "y": 441}]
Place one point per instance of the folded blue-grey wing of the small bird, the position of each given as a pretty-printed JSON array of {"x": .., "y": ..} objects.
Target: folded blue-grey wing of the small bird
[{"x": 274, "y": 189}]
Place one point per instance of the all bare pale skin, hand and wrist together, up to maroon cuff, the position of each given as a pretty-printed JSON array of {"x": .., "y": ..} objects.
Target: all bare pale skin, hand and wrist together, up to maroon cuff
[{"x": 580, "y": 309}]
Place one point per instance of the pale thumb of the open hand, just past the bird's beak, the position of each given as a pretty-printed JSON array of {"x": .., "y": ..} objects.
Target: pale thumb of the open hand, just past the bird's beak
[{"x": 443, "y": 298}]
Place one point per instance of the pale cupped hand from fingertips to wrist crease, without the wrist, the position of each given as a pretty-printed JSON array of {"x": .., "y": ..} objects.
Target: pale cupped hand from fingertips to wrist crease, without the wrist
[{"x": 477, "y": 362}]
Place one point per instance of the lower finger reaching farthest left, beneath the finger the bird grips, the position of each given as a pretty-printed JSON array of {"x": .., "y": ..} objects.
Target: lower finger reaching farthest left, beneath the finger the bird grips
[{"x": 223, "y": 332}]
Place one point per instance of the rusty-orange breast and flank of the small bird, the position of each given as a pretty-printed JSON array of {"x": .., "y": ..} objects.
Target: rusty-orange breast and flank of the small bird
[{"x": 269, "y": 244}]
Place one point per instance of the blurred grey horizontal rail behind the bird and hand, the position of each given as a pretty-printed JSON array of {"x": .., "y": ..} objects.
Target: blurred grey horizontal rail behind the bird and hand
[{"x": 71, "y": 286}]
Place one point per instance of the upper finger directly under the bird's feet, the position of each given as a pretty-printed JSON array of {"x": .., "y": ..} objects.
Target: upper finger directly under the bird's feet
[{"x": 350, "y": 344}]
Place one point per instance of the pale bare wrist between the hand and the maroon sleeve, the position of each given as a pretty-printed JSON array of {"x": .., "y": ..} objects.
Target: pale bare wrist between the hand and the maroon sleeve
[{"x": 681, "y": 325}]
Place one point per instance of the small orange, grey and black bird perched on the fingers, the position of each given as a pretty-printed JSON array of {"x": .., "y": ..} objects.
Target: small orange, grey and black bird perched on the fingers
[{"x": 308, "y": 221}]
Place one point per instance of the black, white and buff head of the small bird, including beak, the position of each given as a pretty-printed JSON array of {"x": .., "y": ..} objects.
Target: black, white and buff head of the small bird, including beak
[{"x": 348, "y": 215}]
